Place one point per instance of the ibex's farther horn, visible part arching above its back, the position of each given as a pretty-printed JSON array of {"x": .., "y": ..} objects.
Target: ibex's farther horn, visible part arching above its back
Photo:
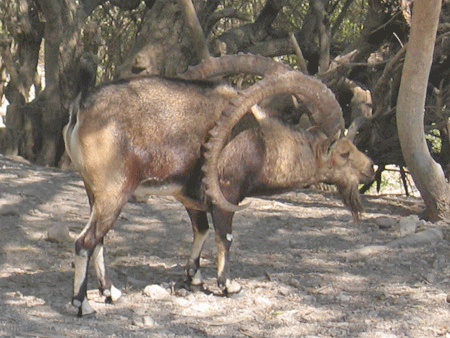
[{"x": 234, "y": 64}]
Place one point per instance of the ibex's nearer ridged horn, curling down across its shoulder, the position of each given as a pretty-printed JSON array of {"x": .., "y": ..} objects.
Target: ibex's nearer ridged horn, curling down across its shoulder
[{"x": 327, "y": 115}]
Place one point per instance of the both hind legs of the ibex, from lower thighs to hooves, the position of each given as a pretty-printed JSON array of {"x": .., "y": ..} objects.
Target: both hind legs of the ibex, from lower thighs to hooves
[{"x": 90, "y": 245}]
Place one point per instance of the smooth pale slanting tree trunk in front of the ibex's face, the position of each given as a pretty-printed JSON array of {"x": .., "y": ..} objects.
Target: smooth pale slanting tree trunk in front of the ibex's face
[{"x": 427, "y": 174}]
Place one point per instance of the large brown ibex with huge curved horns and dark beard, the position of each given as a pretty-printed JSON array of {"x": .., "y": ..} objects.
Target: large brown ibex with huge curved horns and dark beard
[{"x": 152, "y": 132}]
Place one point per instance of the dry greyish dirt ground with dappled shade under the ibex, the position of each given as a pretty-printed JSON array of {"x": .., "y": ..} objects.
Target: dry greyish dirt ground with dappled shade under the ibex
[{"x": 305, "y": 268}]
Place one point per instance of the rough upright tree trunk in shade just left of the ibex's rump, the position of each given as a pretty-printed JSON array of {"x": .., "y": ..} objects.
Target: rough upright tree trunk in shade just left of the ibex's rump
[{"x": 62, "y": 54}]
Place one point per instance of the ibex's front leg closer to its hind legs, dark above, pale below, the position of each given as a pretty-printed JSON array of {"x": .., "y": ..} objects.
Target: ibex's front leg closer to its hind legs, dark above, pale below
[{"x": 200, "y": 228}]
